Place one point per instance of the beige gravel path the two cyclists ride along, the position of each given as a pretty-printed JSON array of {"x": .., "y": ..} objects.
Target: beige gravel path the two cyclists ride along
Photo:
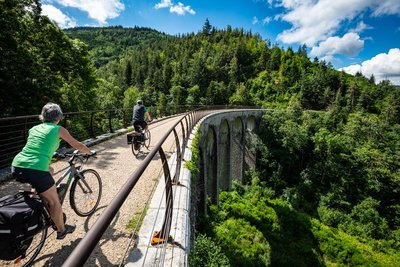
[{"x": 115, "y": 163}]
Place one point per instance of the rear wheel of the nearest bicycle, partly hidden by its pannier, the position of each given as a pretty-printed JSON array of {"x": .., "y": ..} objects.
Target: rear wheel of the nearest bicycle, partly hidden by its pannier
[{"x": 36, "y": 244}]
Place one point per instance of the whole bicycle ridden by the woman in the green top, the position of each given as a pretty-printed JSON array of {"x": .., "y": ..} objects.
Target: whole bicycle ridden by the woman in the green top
[{"x": 84, "y": 197}]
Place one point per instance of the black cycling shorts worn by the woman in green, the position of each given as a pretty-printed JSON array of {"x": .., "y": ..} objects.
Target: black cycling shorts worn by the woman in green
[{"x": 40, "y": 180}]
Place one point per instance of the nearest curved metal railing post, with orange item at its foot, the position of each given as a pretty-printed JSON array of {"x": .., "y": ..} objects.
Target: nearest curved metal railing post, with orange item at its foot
[{"x": 163, "y": 235}]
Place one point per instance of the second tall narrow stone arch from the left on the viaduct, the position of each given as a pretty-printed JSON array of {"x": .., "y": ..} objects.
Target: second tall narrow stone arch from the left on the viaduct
[{"x": 224, "y": 176}]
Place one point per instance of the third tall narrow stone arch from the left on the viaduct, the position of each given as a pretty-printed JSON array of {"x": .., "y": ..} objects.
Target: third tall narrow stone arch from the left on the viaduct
[{"x": 237, "y": 138}]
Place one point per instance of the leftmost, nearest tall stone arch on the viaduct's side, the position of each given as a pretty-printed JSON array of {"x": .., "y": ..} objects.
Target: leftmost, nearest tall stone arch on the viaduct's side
[{"x": 211, "y": 165}]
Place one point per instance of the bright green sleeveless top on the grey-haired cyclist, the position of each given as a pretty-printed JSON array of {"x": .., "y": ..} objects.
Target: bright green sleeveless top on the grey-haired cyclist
[{"x": 42, "y": 141}]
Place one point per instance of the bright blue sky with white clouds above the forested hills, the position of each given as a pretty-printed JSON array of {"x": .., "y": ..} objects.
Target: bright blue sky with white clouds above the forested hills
[{"x": 354, "y": 35}]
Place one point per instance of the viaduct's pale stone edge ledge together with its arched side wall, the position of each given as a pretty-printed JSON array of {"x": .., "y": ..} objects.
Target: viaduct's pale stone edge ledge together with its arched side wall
[{"x": 224, "y": 155}]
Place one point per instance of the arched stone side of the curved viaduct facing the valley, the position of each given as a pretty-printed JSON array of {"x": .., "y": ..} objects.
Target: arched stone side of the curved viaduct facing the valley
[{"x": 224, "y": 149}]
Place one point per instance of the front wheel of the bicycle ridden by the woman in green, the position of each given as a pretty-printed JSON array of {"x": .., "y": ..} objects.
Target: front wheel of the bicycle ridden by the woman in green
[{"x": 86, "y": 192}]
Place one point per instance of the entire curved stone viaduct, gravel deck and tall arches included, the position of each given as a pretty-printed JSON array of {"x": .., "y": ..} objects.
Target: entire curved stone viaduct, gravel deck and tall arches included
[{"x": 146, "y": 200}]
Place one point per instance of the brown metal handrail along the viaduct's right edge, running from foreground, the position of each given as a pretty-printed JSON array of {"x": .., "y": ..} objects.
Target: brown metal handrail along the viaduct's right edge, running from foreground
[{"x": 82, "y": 251}]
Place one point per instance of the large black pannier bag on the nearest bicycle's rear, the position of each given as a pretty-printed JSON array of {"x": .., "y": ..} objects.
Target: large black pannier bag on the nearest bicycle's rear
[{"x": 19, "y": 222}]
